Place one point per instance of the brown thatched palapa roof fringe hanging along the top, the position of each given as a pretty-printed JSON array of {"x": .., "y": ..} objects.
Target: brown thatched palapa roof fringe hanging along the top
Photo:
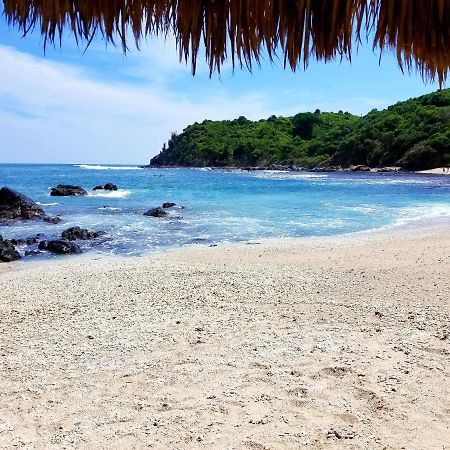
[{"x": 417, "y": 30}]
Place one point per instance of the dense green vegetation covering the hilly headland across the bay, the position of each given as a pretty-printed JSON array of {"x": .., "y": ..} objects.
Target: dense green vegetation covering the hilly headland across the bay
[{"x": 414, "y": 134}]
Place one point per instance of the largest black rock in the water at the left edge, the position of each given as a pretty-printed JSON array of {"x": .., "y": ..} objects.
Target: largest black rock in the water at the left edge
[{"x": 16, "y": 206}]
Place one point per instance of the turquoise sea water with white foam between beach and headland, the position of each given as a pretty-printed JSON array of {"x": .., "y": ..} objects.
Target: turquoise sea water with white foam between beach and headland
[{"x": 223, "y": 205}]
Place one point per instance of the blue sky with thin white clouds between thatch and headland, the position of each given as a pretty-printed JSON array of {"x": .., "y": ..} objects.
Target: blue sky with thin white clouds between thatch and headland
[{"x": 99, "y": 106}]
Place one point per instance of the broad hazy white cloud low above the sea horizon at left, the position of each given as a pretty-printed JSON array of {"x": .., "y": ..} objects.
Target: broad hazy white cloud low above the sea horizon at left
[{"x": 53, "y": 112}]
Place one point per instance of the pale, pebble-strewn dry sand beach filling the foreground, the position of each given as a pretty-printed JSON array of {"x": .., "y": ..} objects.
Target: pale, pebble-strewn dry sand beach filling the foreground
[{"x": 309, "y": 343}]
